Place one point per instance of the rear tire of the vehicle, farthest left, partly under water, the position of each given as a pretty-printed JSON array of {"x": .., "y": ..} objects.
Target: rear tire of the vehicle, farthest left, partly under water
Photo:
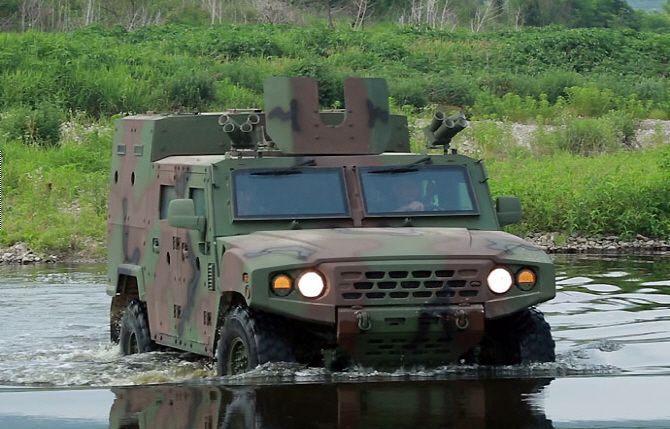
[{"x": 135, "y": 336}]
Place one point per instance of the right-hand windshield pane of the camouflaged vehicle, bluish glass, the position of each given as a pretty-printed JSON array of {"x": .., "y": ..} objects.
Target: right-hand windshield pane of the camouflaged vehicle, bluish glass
[{"x": 417, "y": 190}]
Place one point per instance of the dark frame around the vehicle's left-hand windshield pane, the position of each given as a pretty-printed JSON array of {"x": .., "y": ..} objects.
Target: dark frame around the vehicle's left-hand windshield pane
[{"x": 268, "y": 172}]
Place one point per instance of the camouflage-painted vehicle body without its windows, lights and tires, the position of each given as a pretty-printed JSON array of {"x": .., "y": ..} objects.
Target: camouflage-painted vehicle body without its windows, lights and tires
[{"x": 400, "y": 270}]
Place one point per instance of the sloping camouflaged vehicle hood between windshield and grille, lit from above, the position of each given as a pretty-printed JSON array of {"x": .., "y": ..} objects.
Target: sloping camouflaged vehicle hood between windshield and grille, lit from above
[{"x": 300, "y": 247}]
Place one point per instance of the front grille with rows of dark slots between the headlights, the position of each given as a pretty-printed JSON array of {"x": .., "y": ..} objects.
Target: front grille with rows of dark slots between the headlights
[{"x": 411, "y": 286}]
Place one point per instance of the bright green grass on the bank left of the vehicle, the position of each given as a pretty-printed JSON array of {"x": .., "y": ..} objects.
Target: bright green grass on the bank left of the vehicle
[{"x": 55, "y": 198}]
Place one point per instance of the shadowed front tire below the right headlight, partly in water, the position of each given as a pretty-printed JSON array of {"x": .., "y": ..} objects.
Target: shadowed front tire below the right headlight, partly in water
[{"x": 521, "y": 338}]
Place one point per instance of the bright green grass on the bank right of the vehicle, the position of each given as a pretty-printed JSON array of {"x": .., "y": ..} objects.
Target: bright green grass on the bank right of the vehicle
[{"x": 623, "y": 193}]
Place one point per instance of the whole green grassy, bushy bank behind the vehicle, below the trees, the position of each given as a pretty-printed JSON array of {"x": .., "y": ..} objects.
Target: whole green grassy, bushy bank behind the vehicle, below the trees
[{"x": 586, "y": 89}]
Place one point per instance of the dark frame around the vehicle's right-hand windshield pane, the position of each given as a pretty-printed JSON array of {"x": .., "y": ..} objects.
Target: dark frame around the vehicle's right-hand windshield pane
[{"x": 418, "y": 213}]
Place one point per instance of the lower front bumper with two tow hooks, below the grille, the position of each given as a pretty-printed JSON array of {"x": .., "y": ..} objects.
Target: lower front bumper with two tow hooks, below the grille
[{"x": 409, "y": 335}]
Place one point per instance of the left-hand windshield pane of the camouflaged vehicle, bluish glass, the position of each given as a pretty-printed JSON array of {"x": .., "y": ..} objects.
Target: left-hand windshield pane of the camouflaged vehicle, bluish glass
[{"x": 289, "y": 193}]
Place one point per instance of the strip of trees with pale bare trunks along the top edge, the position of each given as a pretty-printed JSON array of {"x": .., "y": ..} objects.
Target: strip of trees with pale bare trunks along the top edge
[{"x": 476, "y": 15}]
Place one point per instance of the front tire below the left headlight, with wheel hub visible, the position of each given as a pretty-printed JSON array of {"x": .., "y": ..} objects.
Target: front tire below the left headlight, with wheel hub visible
[{"x": 250, "y": 338}]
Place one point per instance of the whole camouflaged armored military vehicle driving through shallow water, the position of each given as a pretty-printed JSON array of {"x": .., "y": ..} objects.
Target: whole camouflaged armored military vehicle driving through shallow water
[{"x": 294, "y": 234}]
